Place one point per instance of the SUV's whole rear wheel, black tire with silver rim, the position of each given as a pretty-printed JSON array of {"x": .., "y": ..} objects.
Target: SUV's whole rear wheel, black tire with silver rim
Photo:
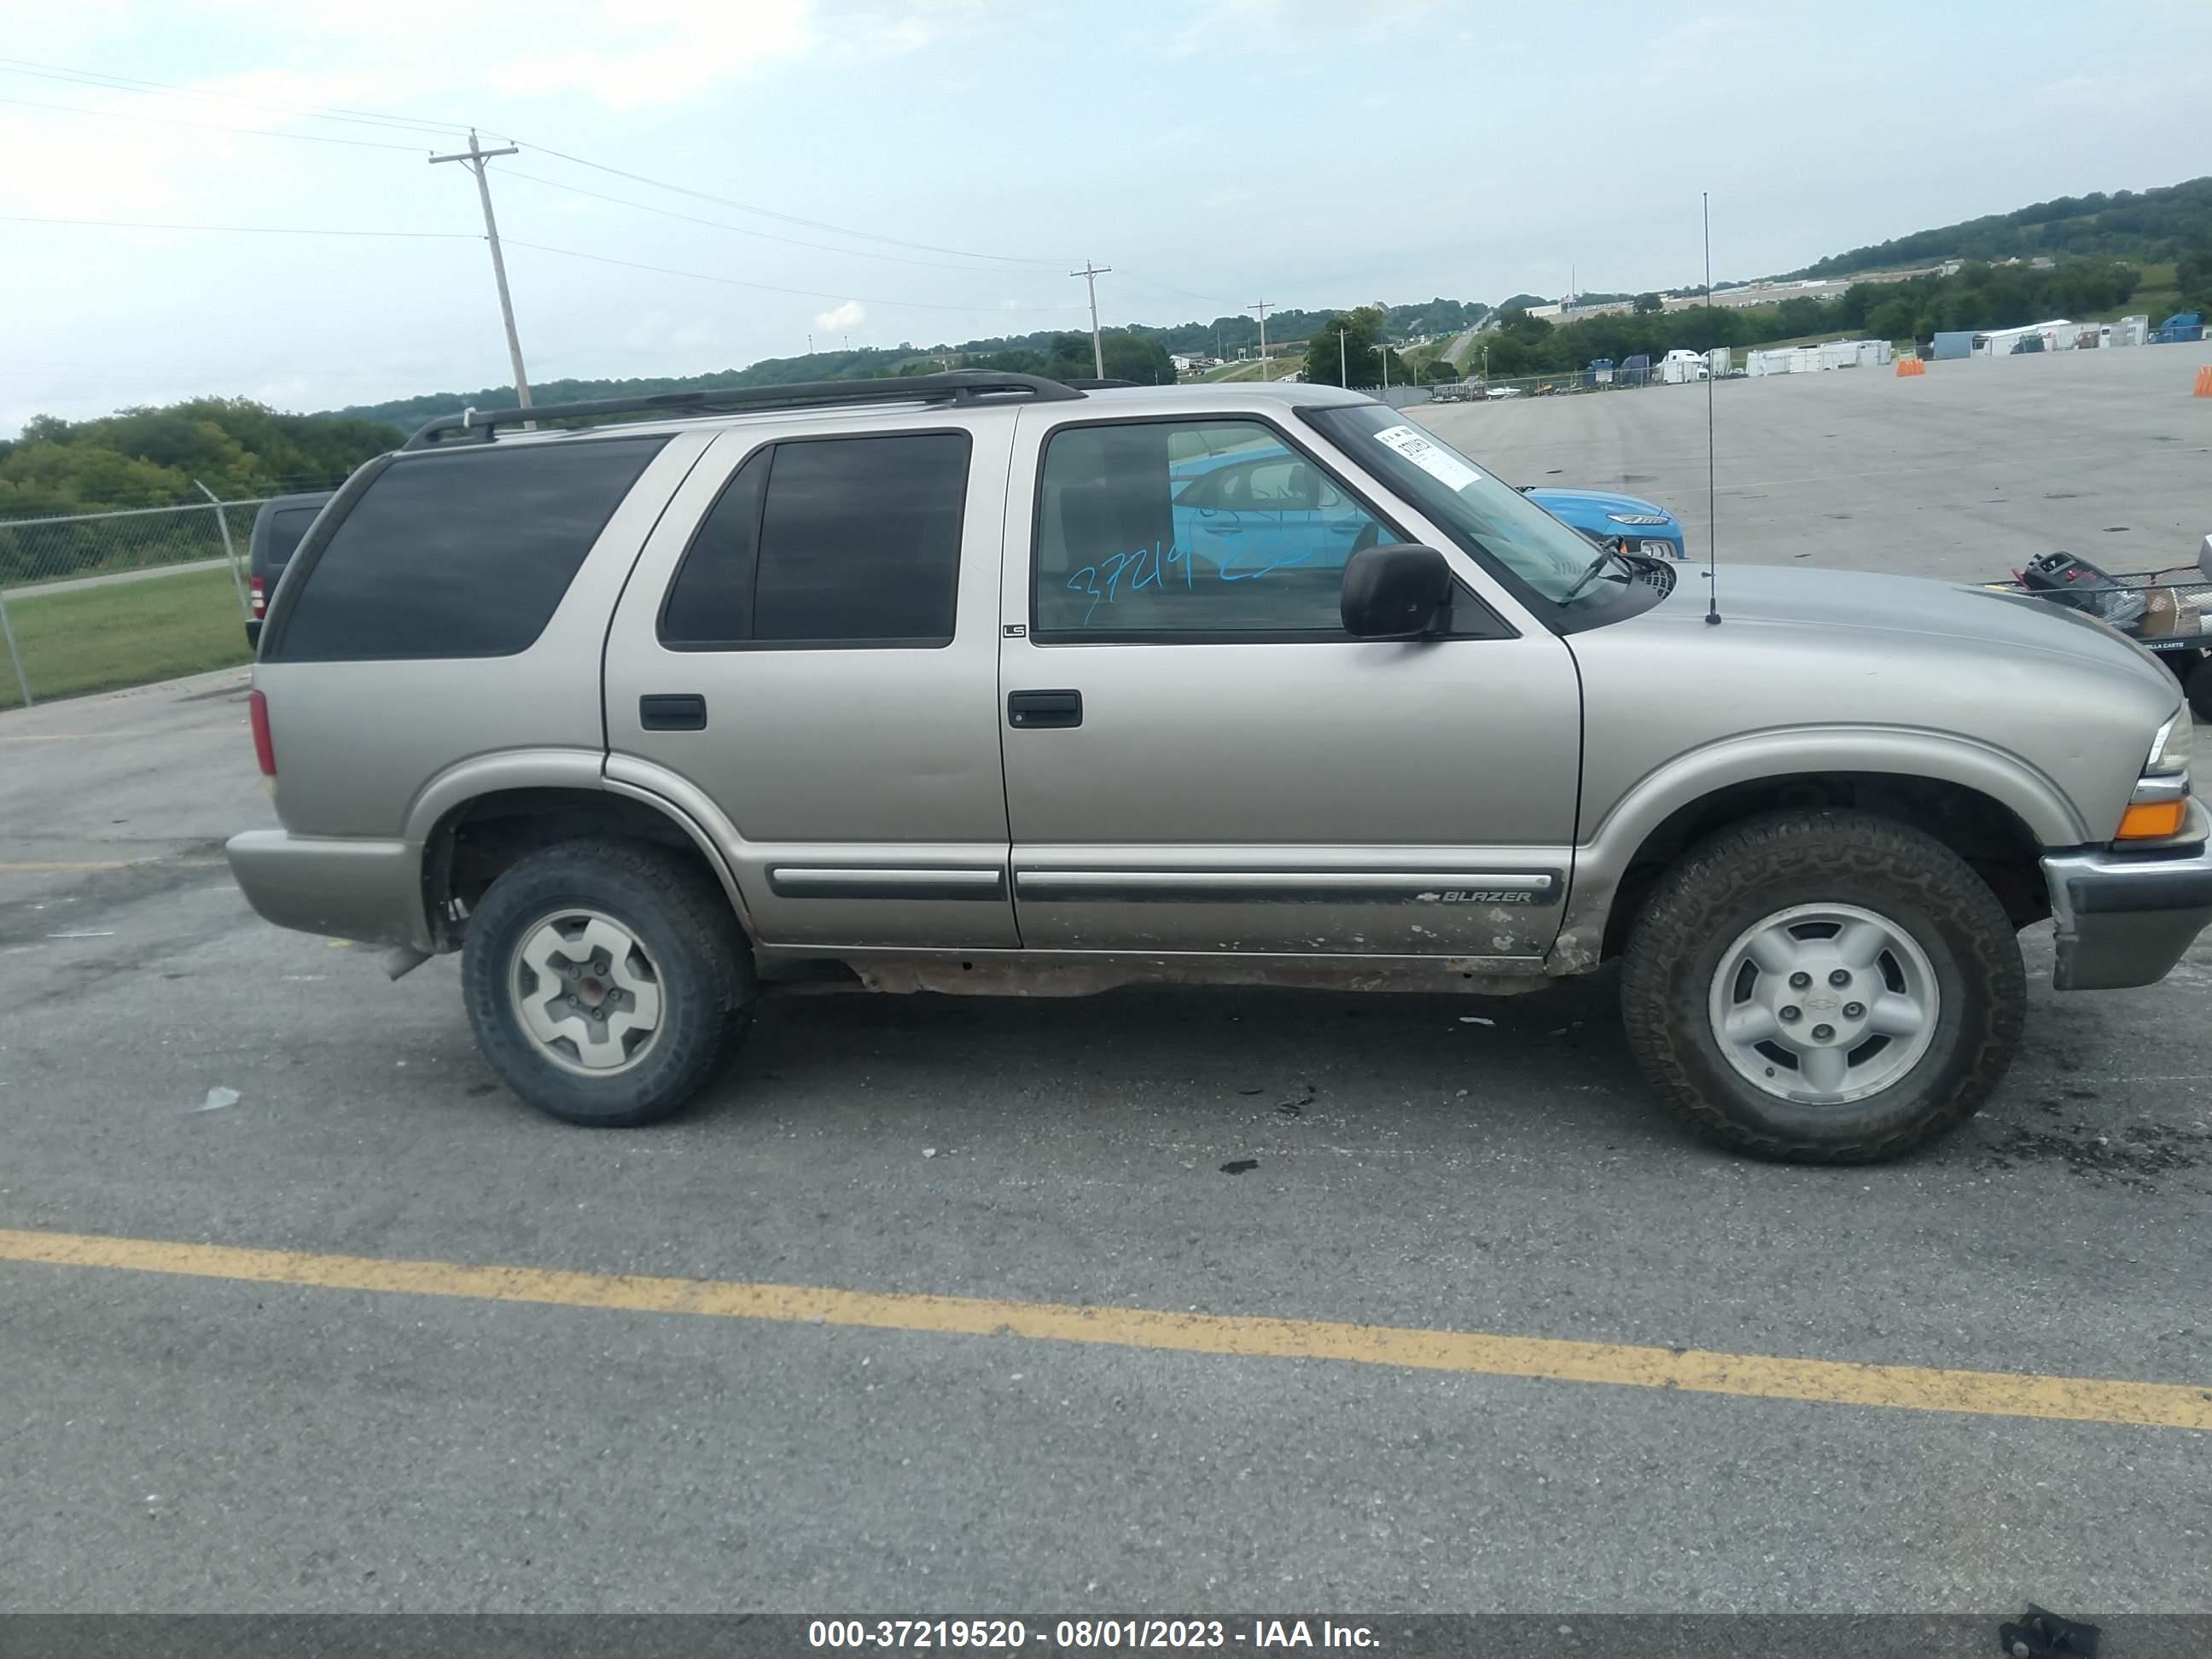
[{"x": 607, "y": 981}]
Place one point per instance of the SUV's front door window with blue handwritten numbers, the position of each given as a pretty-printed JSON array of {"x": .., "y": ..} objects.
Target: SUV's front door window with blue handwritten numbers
[{"x": 1185, "y": 528}]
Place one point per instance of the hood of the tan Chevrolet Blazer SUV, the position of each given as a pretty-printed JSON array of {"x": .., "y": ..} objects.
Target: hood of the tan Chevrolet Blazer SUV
[{"x": 1906, "y": 614}]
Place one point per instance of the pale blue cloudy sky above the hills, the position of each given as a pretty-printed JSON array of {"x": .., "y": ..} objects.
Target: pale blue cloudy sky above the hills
[{"x": 930, "y": 171}]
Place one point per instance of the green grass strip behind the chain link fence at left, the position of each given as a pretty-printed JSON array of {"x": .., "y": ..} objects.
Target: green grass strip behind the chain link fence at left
[{"x": 125, "y": 634}]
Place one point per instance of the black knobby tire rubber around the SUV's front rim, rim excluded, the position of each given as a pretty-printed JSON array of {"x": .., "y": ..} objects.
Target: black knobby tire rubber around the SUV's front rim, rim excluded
[{"x": 1764, "y": 866}]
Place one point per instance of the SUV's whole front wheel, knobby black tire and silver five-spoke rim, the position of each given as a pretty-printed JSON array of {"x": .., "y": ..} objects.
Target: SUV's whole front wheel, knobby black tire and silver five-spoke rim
[{"x": 1824, "y": 988}]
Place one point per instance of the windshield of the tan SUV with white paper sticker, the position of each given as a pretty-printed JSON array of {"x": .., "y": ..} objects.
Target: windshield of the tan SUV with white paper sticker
[{"x": 1481, "y": 512}]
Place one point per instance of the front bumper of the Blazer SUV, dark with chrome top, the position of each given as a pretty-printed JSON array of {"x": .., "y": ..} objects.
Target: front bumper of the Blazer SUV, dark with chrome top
[{"x": 2127, "y": 919}]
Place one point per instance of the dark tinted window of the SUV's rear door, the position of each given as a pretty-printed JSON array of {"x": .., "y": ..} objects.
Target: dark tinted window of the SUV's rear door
[{"x": 828, "y": 543}]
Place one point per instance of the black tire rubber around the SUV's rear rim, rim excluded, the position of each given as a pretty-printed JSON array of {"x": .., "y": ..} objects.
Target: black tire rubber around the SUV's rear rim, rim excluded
[{"x": 680, "y": 919}]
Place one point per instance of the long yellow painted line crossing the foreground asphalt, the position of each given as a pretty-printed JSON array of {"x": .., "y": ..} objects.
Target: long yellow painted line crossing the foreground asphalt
[{"x": 1908, "y": 1388}]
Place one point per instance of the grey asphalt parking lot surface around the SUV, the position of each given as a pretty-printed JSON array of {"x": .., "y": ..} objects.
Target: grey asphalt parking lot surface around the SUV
[{"x": 1392, "y": 1302}]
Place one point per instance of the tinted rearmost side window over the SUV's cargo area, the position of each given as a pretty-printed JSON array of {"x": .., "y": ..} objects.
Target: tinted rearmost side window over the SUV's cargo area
[{"x": 459, "y": 556}]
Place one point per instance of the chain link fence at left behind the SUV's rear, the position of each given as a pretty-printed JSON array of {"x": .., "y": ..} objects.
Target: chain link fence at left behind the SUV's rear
[{"x": 103, "y": 601}]
